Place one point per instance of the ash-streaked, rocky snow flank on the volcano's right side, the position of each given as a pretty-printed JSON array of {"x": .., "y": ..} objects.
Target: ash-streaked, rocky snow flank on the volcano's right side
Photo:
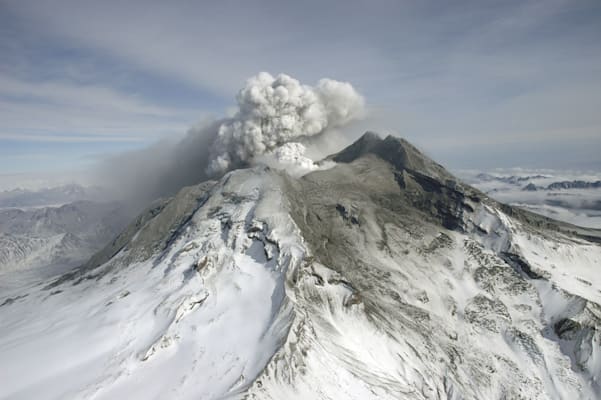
[{"x": 416, "y": 311}]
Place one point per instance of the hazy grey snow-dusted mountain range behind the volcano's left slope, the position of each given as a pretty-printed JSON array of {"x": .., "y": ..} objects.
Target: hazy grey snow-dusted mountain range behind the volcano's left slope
[{"x": 56, "y": 236}]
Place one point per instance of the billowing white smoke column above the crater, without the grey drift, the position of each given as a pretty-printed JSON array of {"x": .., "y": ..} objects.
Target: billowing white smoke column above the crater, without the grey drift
[{"x": 275, "y": 111}]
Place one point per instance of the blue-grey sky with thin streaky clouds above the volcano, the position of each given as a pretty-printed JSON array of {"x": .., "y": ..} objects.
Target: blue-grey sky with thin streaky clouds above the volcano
[{"x": 476, "y": 84}]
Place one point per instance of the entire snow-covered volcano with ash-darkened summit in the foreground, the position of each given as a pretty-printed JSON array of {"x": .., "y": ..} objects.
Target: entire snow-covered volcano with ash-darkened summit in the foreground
[{"x": 381, "y": 277}]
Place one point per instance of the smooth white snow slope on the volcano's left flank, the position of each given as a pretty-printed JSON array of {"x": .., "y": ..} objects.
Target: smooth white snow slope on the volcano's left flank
[{"x": 199, "y": 319}]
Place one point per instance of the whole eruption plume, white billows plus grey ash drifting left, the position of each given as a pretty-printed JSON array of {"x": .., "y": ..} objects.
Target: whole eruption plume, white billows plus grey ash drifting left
[{"x": 274, "y": 116}]
